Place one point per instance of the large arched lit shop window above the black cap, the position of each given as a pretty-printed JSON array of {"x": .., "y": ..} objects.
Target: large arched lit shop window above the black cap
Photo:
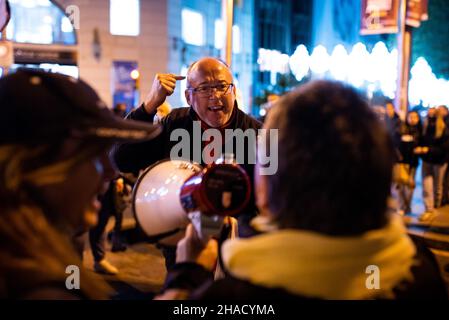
[{"x": 43, "y": 37}]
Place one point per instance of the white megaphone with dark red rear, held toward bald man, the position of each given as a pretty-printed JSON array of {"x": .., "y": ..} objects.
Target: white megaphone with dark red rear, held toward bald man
[{"x": 173, "y": 193}]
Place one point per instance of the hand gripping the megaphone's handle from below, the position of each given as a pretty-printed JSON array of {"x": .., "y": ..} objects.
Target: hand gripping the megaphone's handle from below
[{"x": 192, "y": 249}]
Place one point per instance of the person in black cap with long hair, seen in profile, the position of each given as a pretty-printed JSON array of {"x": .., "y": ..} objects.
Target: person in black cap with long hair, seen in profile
[{"x": 55, "y": 135}]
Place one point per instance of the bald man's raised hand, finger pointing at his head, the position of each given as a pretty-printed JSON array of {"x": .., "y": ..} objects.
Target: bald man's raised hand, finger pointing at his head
[{"x": 164, "y": 85}]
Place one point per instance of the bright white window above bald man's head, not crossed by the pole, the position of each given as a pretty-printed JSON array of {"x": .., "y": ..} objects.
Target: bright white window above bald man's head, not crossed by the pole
[{"x": 192, "y": 27}]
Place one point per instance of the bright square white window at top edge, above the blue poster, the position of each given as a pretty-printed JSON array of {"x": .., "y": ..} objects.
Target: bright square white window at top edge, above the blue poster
[{"x": 124, "y": 17}]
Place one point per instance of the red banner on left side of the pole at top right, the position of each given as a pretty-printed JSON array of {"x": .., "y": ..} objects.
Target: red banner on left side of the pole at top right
[{"x": 379, "y": 16}]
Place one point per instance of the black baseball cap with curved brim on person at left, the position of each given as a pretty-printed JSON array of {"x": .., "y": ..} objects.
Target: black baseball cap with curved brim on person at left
[{"x": 39, "y": 107}]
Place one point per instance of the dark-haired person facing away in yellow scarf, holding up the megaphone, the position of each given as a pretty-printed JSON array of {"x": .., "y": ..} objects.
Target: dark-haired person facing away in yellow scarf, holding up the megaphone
[{"x": 325, "y": 225}]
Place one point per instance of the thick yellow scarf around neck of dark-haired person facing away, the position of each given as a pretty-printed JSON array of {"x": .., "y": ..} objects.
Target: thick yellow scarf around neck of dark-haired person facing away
[{"x": 319, "y": 266}]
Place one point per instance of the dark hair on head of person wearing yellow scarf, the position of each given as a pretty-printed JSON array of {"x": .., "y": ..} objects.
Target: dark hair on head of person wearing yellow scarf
[{"x": 335, "y": 161}]
